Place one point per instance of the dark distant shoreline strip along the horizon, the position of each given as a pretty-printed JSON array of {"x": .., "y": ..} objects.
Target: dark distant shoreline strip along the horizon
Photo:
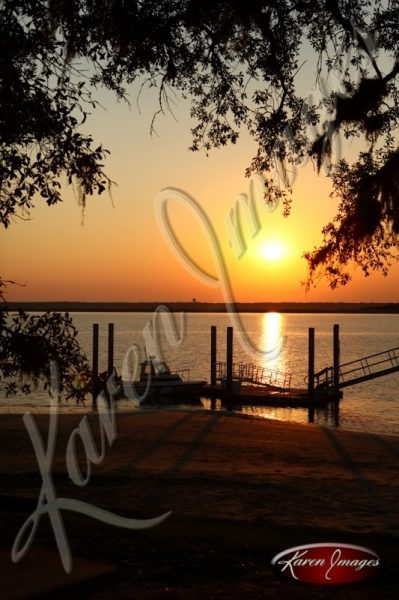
[{"x": 208, "y": 307}]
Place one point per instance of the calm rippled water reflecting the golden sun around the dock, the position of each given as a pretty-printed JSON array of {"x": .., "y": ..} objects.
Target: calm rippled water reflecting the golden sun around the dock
[{"x": 282, "y": 343}]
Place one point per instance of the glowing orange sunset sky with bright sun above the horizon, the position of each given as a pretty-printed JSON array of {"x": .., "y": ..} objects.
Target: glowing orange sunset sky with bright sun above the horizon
[{"x": 120, "y": 252}]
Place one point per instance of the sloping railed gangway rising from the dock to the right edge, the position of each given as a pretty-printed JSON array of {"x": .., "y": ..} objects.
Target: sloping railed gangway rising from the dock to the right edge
[{"x": 360, "y": 370}]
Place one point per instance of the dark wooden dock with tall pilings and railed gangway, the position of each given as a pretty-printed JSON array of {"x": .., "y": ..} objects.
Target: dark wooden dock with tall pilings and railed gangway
[{"x": 252, "y": 384}]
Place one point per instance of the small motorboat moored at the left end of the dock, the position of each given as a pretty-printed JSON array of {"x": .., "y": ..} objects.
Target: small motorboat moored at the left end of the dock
[{"x": 157, "y": 381}]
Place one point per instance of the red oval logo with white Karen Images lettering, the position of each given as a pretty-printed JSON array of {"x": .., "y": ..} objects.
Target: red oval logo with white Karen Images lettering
[{"x": 328, "y": 564}]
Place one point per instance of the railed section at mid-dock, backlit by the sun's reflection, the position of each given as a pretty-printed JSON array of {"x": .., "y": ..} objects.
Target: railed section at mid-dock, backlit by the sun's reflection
[{"x": 255, "y": 375}]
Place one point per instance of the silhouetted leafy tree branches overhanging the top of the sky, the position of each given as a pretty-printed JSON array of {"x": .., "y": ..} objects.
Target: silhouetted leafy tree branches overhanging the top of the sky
[{"x": 240, "y": 66}]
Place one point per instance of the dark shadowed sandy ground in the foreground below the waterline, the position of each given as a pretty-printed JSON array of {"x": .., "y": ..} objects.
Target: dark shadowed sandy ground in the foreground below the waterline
[{"x": 239, "y": 490}]
